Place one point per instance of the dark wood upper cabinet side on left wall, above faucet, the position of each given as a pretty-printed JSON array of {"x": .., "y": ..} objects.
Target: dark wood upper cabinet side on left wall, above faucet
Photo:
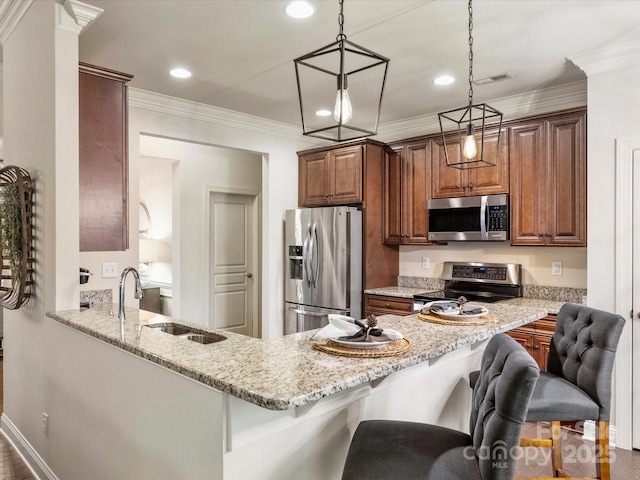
[{"x": 103, "y": 159}]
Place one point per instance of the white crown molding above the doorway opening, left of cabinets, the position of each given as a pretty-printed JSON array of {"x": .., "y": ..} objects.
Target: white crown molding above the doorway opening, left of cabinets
[{"x": 164, "y": 104}]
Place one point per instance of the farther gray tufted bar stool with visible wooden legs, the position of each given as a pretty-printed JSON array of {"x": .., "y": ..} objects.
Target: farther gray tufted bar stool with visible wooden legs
[{"x": 577, "y": 383}]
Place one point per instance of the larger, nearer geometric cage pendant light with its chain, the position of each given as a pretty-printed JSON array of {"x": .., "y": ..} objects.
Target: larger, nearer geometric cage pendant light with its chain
[{"x": 343, "y": 88}]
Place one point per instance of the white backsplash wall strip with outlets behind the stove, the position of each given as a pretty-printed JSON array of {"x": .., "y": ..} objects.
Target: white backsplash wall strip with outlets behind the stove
[{"x": 536, "y": 261}]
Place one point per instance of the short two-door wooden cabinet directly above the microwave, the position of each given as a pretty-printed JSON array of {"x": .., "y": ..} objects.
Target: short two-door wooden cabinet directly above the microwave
[{"x": 452, "y": 182}]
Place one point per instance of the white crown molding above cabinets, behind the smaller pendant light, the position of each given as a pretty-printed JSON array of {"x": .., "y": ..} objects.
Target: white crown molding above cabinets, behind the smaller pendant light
[{"x": 515, "y": 106}]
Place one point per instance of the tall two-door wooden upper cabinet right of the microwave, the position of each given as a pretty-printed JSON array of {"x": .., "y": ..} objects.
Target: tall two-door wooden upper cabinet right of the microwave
[{"x": 548, "y": 181}]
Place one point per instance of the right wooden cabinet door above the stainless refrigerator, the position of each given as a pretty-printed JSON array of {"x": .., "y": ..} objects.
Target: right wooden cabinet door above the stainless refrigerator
[{"x": 346, "y": 175}]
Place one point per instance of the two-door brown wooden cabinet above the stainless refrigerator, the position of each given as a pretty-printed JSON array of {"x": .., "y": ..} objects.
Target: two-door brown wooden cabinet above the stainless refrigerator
[{"x": 330, "y": 178}]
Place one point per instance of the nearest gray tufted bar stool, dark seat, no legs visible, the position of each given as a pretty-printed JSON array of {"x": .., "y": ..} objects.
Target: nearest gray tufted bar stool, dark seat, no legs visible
[{"x": 398, "y": 450}]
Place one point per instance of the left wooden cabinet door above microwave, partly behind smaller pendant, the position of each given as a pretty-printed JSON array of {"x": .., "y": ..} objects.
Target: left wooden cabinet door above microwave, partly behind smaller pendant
[{"x": 446, "y": 181}]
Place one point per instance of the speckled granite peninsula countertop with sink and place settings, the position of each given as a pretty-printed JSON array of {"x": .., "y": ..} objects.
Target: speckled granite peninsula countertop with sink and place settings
[{"x": 286, "y": 372}]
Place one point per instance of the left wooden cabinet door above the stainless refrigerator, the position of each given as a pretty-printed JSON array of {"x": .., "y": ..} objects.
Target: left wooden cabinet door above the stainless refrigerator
[{"x": 313, "y": 180}]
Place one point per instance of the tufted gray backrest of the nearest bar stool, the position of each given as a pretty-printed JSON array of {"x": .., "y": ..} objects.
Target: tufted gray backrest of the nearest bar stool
[{"x": 501, "y": 395}]
